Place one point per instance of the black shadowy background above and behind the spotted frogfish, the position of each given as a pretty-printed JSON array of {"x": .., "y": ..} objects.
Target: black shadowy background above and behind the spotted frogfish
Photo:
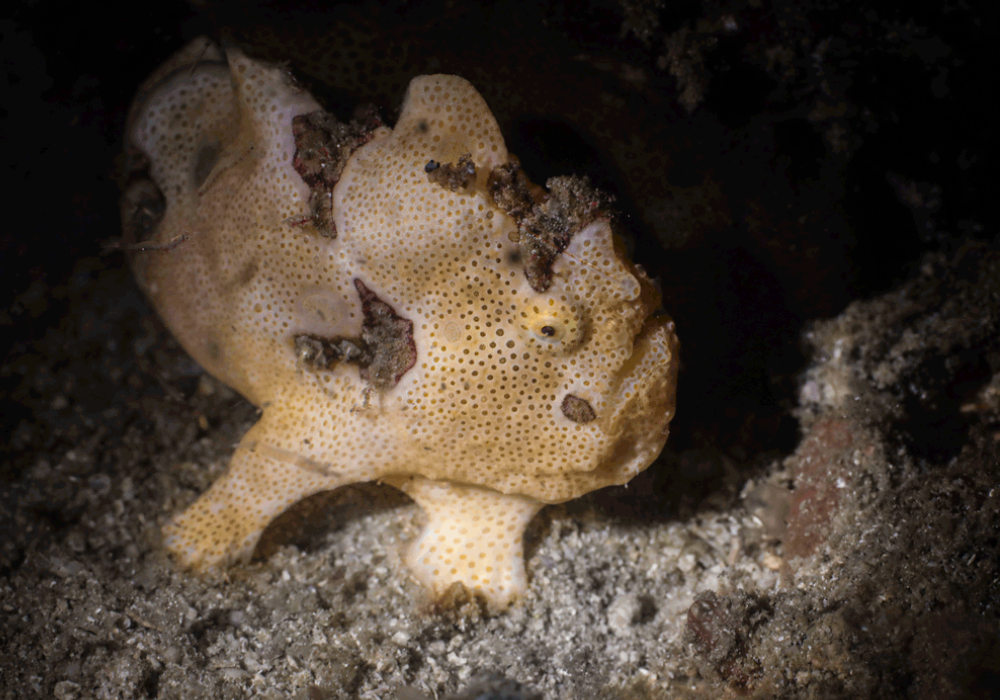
[{"x": 772, "y": 162}]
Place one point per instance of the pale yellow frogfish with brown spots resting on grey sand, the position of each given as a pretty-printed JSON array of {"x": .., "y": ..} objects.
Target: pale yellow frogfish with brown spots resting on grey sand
[{"x": 402, "y": 341}]
